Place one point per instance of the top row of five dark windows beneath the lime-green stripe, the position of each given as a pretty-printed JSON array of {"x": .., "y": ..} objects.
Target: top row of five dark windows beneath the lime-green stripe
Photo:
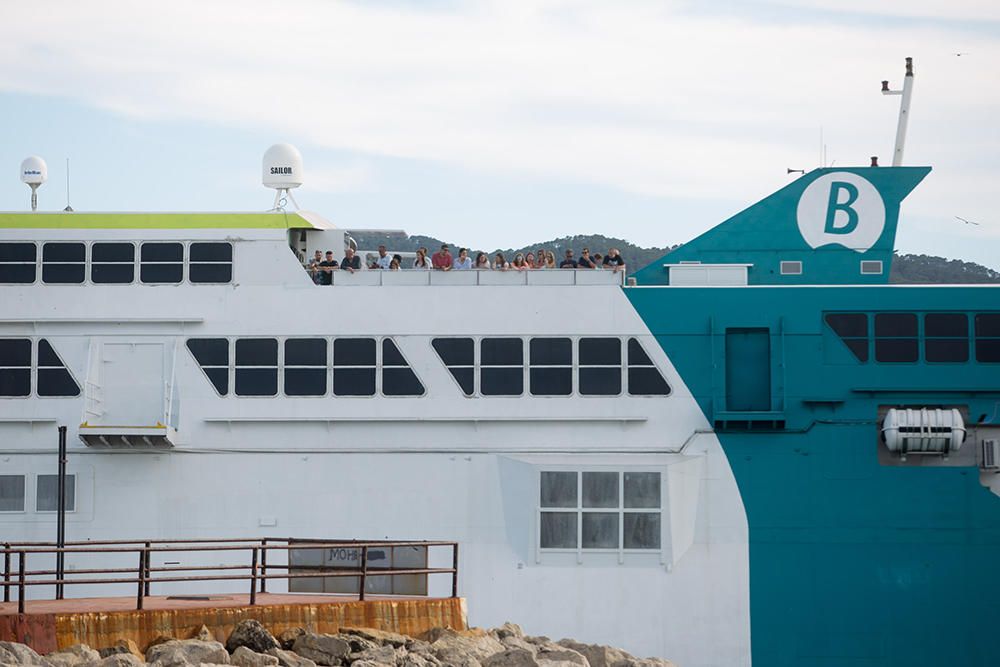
[{"x": 114, "y": 263}]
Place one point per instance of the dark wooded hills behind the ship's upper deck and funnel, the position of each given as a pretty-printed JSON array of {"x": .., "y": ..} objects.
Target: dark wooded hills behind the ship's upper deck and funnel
[{"x": 906, "y": 269}]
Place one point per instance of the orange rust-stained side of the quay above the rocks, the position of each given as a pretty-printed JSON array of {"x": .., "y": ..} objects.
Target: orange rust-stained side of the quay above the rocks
[{"x": 100, "y": 629}]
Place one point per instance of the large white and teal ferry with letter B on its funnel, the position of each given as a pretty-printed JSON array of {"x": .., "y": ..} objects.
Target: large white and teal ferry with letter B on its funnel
[{"x": 755, "y": 450}]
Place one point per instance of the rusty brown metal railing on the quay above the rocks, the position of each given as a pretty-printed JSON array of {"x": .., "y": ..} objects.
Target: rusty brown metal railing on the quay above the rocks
[{"x": 255, "y": 569}]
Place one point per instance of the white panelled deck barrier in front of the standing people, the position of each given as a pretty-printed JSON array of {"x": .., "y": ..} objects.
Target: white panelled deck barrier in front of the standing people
[{"x": 416, "y": 278}]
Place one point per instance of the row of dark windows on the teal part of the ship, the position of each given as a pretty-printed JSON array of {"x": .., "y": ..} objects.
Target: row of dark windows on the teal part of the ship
[{"x": 899, "y": 337}]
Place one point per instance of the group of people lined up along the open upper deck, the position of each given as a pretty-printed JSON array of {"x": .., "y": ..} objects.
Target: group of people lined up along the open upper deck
[{"x": 321, "y": 268}]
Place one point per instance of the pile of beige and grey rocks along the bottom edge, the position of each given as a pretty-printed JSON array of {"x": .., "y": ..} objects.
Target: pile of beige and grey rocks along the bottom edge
[{"x": 251, "y": 645}]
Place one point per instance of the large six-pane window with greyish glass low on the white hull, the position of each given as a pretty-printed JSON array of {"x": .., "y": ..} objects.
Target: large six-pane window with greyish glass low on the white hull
[{"x": 600, "y": 510}]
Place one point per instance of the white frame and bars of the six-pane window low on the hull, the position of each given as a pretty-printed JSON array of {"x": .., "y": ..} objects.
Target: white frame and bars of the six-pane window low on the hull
[{"x": 580, "y": 551}]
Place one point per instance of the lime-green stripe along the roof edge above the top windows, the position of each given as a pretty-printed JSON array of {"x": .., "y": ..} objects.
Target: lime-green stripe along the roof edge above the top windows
[{"x": 153, "y": 221}]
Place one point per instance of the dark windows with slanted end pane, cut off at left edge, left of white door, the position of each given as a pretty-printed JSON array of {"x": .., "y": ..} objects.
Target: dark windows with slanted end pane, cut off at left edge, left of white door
[{"x": 24, "y": 363}]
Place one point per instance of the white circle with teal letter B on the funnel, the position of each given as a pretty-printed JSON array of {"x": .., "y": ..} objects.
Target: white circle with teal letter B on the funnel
[{"x": 841, "y": 208}]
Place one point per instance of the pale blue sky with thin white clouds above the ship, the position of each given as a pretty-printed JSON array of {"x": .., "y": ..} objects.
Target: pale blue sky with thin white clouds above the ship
[{"x": 499, "y": 122}]
